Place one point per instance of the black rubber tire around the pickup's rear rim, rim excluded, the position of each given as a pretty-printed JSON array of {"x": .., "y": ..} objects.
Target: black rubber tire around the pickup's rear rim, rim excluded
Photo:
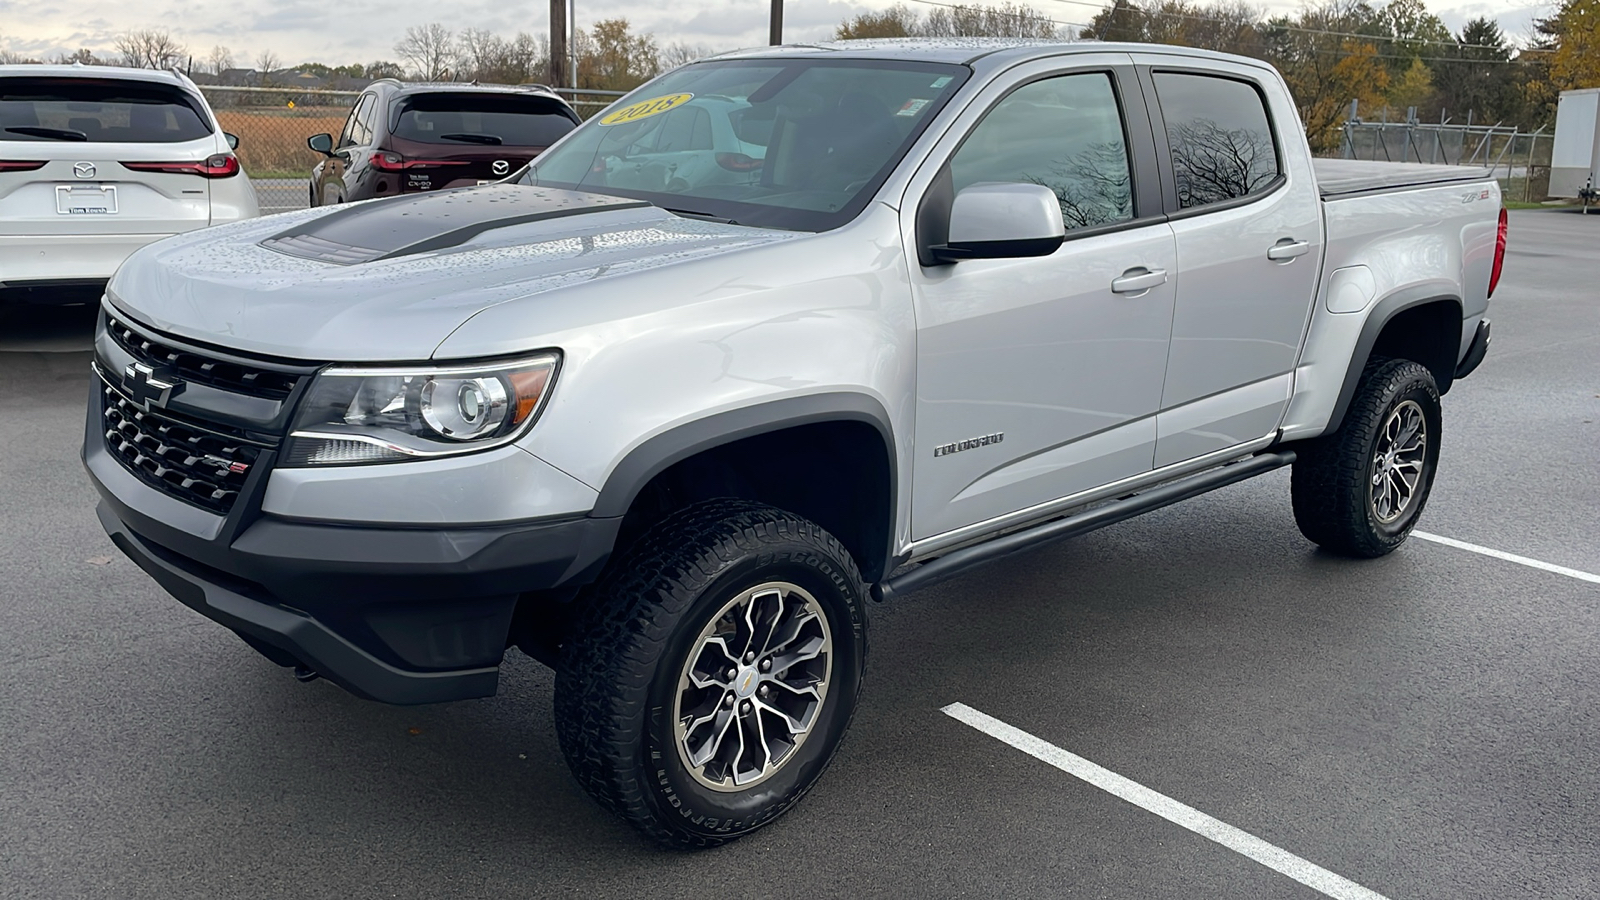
[{"x": 1332, "y": 483}]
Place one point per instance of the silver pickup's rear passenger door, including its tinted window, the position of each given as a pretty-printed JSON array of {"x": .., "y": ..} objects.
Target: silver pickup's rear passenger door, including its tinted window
[{"x": 1249, "y": 225}]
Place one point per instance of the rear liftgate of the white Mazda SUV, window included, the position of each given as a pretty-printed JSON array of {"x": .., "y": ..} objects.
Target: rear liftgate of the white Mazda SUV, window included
[{"x": 79, "y": 156}]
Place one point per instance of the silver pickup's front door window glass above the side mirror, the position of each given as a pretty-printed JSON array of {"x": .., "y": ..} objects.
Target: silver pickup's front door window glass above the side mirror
[{"x": 1065, "y": 134}]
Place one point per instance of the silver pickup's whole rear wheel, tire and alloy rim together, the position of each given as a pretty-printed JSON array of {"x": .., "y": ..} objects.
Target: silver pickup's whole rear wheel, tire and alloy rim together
[{"x": 1361, "y": 491}]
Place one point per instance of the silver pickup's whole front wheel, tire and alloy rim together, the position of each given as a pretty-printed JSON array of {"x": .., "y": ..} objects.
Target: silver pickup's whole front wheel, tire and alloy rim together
[{"x": 714, "y": 672}]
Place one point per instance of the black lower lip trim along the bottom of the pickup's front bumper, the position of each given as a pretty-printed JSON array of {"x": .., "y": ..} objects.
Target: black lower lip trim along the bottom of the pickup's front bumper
[{"x": 302, "y": 637}]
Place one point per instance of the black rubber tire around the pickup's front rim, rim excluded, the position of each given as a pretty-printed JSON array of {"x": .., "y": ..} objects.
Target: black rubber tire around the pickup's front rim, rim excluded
[{"x": 622, "y": 664}]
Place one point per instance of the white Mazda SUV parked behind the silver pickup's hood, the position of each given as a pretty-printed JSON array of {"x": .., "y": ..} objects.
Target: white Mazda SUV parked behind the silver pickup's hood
[{"x": 97, "y": 163}]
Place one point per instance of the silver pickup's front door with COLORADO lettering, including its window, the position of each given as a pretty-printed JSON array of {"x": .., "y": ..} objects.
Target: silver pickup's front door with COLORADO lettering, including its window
[{"x": 1038, "y": 379}]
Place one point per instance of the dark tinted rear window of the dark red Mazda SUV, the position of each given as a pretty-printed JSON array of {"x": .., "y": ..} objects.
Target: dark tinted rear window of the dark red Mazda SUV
[{"x": 482, "y": 119}]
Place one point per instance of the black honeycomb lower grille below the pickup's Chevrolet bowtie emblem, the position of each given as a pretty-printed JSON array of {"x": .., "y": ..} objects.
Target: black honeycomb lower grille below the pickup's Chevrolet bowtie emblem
[{"x": 182, "y": 460}]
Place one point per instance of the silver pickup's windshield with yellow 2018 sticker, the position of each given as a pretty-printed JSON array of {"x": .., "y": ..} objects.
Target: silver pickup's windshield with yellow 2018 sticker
[{"x": 798, "y": 145}]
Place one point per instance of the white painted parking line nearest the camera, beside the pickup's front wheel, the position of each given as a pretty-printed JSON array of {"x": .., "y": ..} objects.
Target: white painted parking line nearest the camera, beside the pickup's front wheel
[{"x": 1244, "y": 843}]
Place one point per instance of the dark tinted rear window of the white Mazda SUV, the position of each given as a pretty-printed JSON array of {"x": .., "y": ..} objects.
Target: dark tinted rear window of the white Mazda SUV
[{"x": 98, "y": 111}]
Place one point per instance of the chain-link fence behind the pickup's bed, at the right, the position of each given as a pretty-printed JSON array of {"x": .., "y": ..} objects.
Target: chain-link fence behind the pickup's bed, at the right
[{"x": 1521, "y": 159}]
